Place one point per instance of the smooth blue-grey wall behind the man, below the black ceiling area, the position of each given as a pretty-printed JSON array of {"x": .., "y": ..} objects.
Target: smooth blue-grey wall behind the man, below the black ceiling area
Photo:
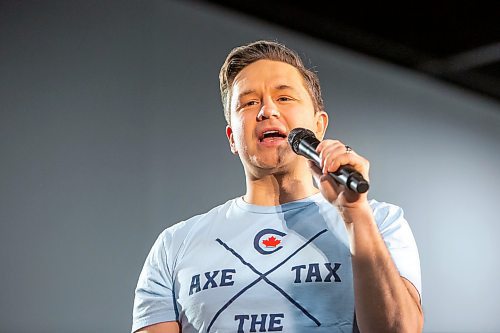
[{"x": 111, "y": 129}]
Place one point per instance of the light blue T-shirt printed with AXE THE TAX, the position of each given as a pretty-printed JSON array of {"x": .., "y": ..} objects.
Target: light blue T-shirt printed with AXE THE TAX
[{"x": 248, "y": 268}]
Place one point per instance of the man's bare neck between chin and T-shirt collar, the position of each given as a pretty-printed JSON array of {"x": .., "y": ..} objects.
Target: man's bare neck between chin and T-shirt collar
[{"x": 276, "y": 188}]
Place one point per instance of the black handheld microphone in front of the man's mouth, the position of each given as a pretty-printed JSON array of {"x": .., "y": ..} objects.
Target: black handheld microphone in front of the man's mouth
[{"x": 304, "y": 143}]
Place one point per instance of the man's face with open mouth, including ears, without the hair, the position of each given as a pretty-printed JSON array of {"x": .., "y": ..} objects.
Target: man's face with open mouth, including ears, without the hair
[{"x": 268, "y": 99}]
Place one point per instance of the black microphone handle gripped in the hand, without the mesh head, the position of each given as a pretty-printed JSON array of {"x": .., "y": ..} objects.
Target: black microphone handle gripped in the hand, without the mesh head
[{"x": 345, "y": 175}]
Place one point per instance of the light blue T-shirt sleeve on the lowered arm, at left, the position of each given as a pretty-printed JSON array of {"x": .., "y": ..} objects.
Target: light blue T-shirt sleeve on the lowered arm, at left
[{"x": 154, "y": 298}]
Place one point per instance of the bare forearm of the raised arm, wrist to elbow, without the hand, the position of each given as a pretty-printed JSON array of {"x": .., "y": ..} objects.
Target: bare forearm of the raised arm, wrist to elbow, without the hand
[{"x": 383, "y": 301}]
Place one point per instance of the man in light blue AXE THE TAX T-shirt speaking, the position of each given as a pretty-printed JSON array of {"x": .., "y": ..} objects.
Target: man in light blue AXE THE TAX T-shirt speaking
[{"x": 286, "y": 256}]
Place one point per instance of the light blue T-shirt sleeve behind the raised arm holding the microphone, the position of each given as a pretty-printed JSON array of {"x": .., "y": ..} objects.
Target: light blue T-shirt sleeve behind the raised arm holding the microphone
[{"x": 399, "y": 239}]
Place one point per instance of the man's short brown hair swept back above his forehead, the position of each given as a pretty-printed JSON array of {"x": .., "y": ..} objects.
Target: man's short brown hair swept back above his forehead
[{"x": 242, "y": 56}]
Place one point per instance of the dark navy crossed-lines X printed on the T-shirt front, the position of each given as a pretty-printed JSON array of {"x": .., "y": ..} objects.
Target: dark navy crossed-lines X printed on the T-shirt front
[{"x": 264, "y": 277}]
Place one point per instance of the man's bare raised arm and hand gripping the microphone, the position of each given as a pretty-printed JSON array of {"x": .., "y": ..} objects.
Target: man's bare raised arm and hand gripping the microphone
[{"x": 385, "y": 301}]
